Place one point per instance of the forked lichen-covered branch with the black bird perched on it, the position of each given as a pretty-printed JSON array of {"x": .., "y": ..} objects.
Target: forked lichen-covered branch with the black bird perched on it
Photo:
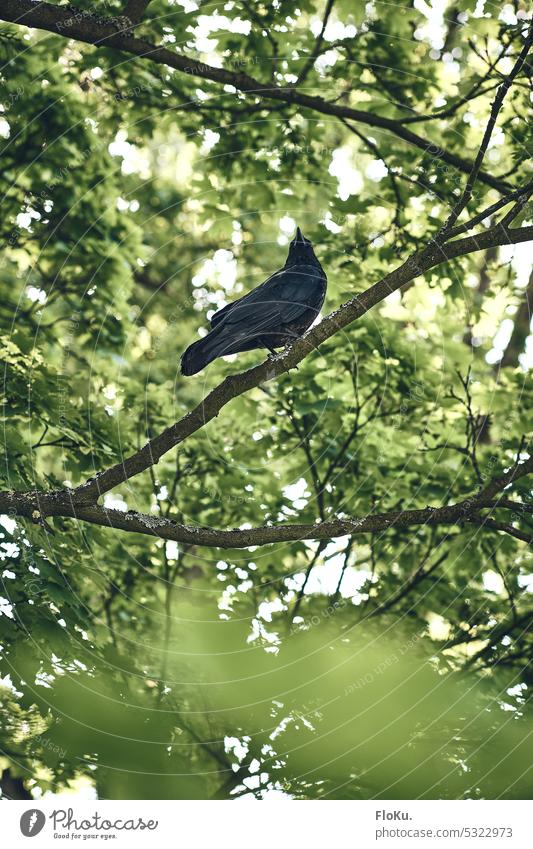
[{"x": 80, "y": 502}]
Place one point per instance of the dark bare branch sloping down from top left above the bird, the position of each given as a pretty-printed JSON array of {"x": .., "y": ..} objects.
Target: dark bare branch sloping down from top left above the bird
[{"x": 93, "y": 29}]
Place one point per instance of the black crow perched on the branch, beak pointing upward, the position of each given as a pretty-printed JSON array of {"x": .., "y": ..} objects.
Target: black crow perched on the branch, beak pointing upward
[{"x": 271, "y": 316}]
